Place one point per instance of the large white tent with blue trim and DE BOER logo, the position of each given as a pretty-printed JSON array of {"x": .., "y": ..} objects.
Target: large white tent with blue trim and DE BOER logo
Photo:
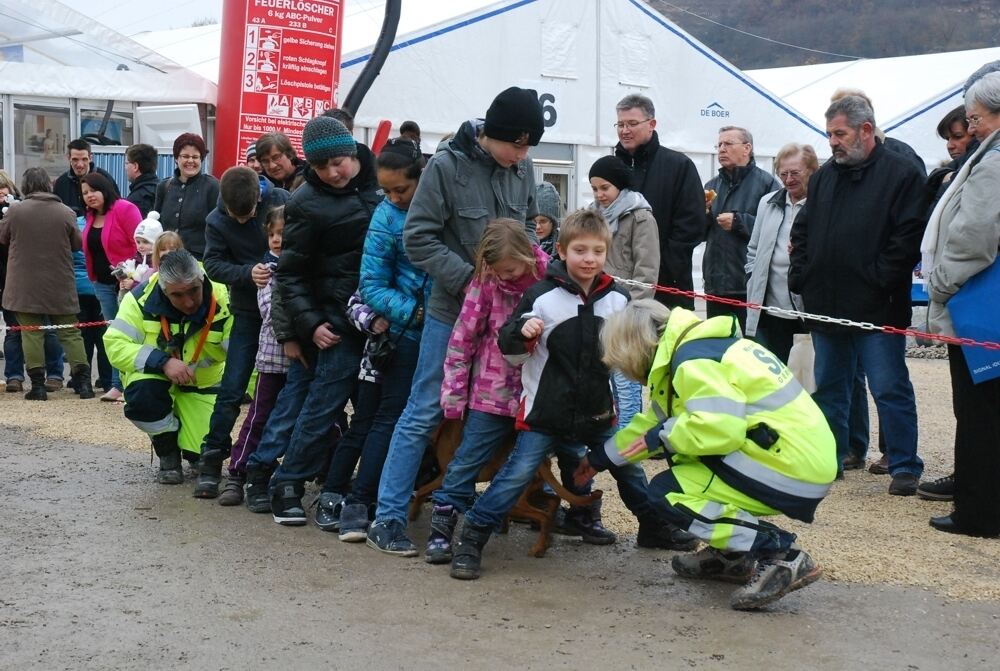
[{"x": 582, "y": 56}]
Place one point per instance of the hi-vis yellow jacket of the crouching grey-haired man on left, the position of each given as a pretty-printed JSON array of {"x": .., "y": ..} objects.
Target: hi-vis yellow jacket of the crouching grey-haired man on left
[{"x": 137, "y": 346}]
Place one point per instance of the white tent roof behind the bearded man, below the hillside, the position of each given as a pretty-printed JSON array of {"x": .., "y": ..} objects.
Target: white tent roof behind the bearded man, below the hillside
[{"x": 911, "y": 94}]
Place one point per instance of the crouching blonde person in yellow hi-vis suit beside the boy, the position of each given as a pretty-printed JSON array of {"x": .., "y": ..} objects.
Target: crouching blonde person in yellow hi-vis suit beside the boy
[{"x": 744, "y": 439}]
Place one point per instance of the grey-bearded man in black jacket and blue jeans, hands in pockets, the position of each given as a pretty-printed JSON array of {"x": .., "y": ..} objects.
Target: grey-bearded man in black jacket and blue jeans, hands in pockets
[{"x": 854, "y": 246}]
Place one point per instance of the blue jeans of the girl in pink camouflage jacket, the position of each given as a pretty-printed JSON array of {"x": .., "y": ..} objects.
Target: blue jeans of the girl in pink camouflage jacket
[{"x": 482, "y": 435}]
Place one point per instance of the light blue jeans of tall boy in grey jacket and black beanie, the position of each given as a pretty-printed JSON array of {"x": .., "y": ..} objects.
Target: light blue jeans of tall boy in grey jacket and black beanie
[{"x": 416, "y": 425}]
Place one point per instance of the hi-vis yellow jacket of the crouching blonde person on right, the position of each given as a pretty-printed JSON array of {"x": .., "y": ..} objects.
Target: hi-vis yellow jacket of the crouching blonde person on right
[{"x": 732, "y": 405}]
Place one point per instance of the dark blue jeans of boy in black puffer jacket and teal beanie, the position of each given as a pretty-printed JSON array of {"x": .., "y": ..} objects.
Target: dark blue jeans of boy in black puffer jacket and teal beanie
[{"x": 333, "y": 383}]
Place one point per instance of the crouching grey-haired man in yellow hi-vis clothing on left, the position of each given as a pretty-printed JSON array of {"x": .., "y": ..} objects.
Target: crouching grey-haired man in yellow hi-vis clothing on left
[{"x": 169, "y": 341}]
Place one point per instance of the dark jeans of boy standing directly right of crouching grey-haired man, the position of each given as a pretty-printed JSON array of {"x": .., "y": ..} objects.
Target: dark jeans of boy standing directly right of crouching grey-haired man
[{"x": 243, "y": 342}]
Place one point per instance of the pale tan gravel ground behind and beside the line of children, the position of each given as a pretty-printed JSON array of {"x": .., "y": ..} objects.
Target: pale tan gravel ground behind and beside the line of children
[{"x": 861, "y": 534}]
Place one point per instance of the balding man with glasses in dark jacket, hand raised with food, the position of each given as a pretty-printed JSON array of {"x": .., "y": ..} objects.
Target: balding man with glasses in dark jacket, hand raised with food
[{"x": 739, "y": 187}]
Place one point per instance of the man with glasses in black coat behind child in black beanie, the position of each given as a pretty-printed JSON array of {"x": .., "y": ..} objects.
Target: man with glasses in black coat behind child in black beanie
[{"x": 670, "y": 183}]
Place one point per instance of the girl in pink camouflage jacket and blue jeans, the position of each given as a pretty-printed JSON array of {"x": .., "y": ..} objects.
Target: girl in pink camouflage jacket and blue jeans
[{"x": 478, "y": 382}]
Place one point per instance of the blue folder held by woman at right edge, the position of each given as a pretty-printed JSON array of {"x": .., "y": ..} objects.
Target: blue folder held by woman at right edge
[{"x": 975, "y": 313}]
